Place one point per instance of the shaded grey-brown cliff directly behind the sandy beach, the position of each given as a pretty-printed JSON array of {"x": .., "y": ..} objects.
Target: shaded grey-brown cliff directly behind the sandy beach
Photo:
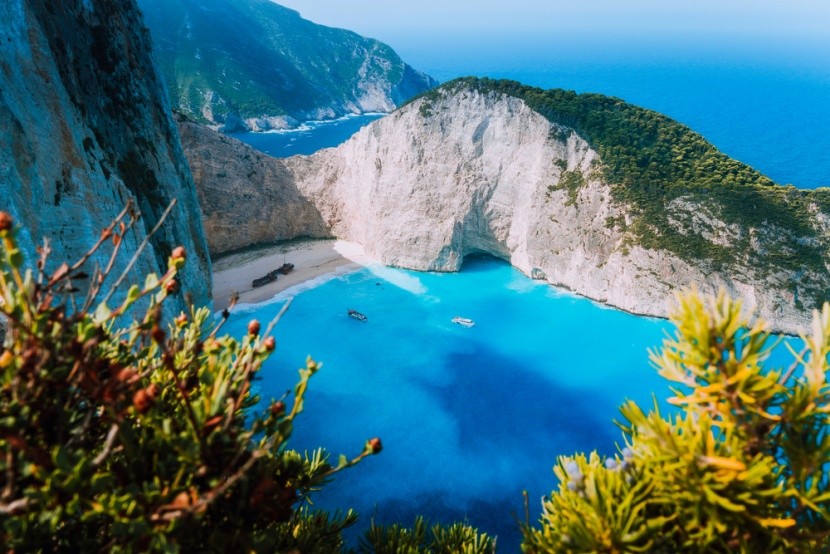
[{"x": 247, "y": 197}]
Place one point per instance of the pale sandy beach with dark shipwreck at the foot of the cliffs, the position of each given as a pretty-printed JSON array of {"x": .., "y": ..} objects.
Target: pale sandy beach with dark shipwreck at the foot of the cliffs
[{"x": 311, "y": 258}]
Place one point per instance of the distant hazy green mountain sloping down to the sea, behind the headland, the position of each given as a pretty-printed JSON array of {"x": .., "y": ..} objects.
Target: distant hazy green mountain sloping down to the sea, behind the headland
[{"x": 253, "y": 64}]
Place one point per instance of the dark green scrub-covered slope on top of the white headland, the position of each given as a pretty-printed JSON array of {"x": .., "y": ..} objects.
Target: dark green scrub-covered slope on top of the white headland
[{"x": 650, "y": 160}]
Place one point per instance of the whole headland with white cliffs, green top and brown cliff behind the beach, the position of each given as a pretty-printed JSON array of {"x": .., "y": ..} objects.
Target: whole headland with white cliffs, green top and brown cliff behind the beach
[{"x": 476, "y": 167}]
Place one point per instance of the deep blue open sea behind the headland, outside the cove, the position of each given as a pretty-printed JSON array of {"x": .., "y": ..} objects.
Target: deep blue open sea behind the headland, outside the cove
[{"x": 765, "y": 105}]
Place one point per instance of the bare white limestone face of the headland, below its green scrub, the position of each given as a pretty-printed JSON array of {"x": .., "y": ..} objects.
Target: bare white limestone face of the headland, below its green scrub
[{"x": 482, "y": 172}]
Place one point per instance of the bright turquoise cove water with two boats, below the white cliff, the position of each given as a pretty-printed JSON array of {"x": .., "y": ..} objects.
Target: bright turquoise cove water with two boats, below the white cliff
[{"x": 469, "y": 417}]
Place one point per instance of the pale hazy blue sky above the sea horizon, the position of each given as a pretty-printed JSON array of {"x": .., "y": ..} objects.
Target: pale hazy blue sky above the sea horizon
[{"x": 387, "y": 19}]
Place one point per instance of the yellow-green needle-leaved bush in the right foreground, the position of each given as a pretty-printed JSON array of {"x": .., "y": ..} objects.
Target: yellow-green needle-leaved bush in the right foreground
[{"x": 741, "y": 466}]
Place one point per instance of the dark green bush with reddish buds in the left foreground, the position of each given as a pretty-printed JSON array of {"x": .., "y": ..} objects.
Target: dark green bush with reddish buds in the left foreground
[{"x": 123, "y": 433}]
